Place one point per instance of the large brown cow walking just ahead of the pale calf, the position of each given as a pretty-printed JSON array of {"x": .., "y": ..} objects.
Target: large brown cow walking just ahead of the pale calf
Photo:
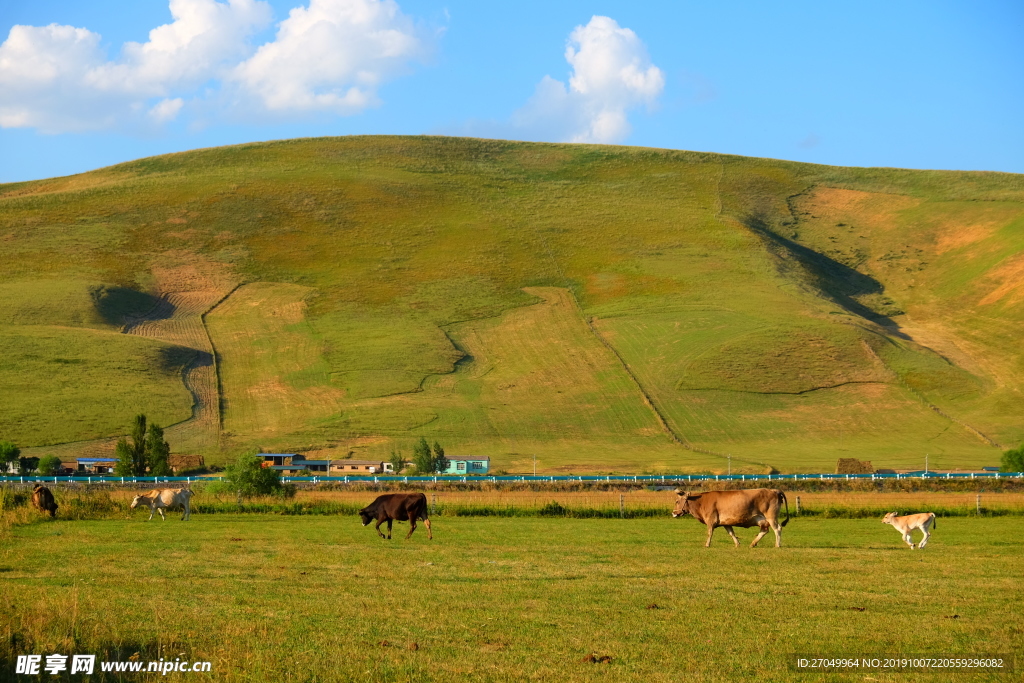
[{"x": 755, "y": 507}]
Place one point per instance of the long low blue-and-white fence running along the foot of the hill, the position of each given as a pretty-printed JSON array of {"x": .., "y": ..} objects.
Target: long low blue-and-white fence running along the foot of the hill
[{"x": 631, "y": 479}]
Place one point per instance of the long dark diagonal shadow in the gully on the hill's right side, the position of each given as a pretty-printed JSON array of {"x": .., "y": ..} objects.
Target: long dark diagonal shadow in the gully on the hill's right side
[{"x": 836, "y": 282}]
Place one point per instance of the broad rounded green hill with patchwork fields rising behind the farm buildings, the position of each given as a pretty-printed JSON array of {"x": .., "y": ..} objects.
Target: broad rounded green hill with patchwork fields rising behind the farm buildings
[{"x": 604, "y": 309}]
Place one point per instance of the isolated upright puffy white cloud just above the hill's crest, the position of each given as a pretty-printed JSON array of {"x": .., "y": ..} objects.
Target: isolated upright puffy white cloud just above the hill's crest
[{"x": 612, "y": 75}]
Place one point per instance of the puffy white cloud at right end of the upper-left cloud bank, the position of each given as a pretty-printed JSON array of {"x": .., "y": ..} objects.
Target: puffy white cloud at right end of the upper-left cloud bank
[{"x": 331, "y": 57}]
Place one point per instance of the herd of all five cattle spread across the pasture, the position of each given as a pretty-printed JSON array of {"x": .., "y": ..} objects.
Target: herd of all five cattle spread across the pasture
[{"x": 746, "y": 508}]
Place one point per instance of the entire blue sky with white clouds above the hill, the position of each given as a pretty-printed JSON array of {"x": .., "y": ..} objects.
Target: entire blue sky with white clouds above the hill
[{"x": 910, "y": 84}]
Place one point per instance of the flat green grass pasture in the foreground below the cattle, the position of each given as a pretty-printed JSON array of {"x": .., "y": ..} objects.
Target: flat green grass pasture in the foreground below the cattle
[{"x": 489, "y": 600}]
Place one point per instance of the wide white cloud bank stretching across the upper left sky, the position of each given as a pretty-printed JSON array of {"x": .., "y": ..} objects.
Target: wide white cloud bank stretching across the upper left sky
[{"x": 329, "y": 57}]
